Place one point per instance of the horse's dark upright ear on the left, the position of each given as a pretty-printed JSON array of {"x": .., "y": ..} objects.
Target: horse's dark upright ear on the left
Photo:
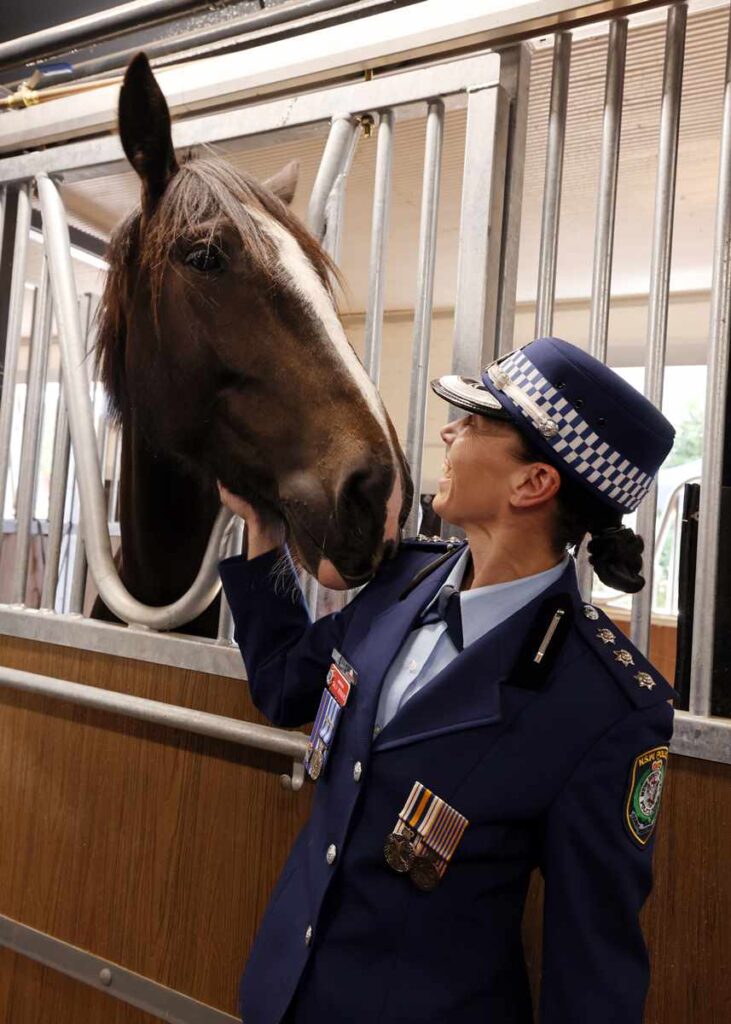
[{"x": 145, "y": 131}]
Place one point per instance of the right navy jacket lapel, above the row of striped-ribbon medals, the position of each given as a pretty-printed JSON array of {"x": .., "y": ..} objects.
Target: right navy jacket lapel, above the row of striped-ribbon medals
[{"x": 468, "y": 693}]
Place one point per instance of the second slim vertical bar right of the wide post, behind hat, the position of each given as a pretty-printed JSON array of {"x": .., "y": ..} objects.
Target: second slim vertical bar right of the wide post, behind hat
[{"x": 605, "y": 227}]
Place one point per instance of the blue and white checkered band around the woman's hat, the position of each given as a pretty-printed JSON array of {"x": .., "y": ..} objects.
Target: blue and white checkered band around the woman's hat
[{"x": 574, "y": 441}]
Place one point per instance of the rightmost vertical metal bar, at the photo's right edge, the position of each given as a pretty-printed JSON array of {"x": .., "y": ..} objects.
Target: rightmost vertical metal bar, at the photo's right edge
[{"x": 702, "y": 662}]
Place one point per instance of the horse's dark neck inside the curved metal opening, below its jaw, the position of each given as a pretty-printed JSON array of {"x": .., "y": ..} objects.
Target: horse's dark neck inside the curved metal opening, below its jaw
[{"x": 166, "y": 518}]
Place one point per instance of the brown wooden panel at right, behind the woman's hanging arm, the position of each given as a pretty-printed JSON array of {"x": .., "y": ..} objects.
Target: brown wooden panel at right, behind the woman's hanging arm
[{"x": 687, "y": 919}]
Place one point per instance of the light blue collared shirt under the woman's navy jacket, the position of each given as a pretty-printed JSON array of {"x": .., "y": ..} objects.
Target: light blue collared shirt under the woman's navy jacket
[{"x": 427, "y": 651}]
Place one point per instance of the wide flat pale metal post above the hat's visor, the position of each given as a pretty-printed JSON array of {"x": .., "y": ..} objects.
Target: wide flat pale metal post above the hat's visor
[{"x": 481, "y": 232}]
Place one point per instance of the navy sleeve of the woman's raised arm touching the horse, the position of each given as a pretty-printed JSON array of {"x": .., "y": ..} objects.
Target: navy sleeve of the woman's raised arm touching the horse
[{"x": 286, "y": 656}]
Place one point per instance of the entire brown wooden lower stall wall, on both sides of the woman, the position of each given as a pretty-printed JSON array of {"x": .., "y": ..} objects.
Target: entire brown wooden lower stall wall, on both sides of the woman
[{"x": 158, "y": 850}]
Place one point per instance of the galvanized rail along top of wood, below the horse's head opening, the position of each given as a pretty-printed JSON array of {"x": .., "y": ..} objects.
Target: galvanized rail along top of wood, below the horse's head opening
[{"x": 141, "y": 646}]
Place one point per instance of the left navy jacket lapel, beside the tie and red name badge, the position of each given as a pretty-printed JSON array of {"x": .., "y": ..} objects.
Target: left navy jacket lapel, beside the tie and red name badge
[{"x": 381, "y": 644}]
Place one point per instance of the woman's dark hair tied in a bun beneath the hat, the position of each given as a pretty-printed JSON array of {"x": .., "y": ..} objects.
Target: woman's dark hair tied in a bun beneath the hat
[{"x": 615, "y": 551}]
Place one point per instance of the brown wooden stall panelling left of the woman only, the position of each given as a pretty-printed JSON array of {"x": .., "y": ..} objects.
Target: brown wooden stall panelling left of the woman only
[{"x": 147, "y": 846}]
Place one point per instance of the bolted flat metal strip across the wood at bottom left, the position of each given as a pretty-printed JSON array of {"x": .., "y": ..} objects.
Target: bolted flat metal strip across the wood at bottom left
[{"x": 106, "y": 976}]
